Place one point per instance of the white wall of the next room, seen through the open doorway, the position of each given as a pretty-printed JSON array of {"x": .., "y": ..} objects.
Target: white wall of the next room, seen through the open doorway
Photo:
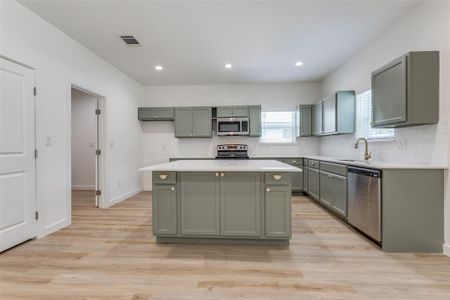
[{"x": 84, "y": 136}]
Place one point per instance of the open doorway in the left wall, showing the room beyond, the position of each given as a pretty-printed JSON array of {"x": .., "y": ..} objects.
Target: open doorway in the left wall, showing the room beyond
[{"x": 86, "y": 149}]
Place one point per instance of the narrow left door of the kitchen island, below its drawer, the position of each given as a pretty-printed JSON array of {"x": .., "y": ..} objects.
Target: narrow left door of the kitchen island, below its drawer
[{"x": 164, "y": 209}]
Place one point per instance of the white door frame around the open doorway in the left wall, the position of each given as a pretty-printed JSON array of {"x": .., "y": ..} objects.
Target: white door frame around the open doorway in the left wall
[{"x": 100, "y": 144}]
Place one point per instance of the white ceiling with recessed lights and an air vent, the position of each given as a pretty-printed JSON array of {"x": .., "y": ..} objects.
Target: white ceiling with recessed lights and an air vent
[{"x": 193, "y": 40}]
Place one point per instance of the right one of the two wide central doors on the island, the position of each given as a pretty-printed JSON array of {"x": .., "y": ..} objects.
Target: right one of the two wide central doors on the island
[{"x": 240, "y": 201}]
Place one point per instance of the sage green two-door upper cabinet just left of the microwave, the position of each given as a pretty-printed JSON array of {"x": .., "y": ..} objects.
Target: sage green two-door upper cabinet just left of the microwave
[{"x": 193, "y": 122}]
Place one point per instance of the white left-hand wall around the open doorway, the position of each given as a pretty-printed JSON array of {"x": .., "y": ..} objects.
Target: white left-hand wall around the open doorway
[{"x": 59, "y": 62}]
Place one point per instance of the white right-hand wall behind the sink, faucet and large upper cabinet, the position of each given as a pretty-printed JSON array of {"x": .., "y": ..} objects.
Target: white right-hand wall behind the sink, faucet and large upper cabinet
[{"x": 426, "y": 27}]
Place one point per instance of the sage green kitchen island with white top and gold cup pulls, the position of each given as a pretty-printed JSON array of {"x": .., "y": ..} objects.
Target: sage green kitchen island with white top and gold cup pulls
[{"x": 222, "y": 201}]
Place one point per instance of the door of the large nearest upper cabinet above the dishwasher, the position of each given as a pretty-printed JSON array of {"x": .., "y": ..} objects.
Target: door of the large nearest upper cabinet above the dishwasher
[{"x": 389, "y": 93}]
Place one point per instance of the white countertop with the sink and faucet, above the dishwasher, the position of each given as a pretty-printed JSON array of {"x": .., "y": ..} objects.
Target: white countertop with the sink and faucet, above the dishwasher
[{"x": 375, "y": 164}]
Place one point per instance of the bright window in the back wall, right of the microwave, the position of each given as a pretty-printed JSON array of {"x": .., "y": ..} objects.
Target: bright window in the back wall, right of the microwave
[{"x": 278, "y": 127}]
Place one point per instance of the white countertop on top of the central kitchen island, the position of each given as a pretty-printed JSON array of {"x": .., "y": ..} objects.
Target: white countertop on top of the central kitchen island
[{"x": 223, "y": 165}]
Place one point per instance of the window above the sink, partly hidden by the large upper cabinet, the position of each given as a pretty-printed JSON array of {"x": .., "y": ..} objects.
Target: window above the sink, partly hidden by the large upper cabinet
[{"x": 364, "y": 117}]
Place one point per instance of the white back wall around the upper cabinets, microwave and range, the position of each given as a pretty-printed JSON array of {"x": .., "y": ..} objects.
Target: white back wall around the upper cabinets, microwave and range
[{"x": 160, "y": 143}]
